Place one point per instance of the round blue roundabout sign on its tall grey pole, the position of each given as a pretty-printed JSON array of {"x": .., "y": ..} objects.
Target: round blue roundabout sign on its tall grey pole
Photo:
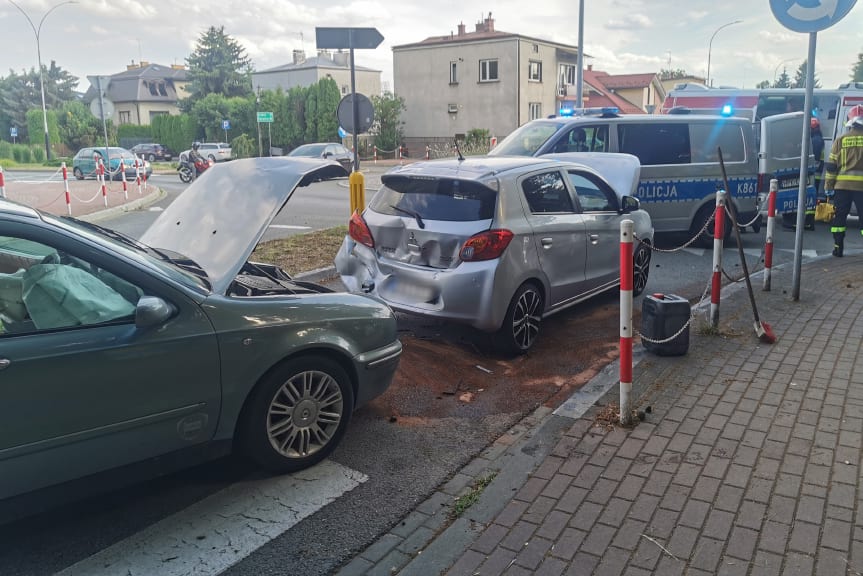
[{"x": 809, "y": 17}]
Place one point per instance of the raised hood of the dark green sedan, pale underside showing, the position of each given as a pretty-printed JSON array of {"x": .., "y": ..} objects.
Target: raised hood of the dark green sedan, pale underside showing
[{"x": 220, "y": 218}]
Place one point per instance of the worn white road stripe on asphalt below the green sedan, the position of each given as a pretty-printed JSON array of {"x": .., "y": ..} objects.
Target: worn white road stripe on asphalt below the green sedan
[{"x": 214, "y": 534}]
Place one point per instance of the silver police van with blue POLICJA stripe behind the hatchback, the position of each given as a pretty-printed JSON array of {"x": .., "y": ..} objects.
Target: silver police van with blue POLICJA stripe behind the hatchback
[{"x": 680, "y": 170}]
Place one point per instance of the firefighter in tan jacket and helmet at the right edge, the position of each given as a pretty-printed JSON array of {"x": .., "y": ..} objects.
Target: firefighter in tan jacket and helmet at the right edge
[{"x": 844, "y": 175}]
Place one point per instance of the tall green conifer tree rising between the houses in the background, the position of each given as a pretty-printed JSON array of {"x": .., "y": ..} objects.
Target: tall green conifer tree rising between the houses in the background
[{"x": 218, "y": 65}]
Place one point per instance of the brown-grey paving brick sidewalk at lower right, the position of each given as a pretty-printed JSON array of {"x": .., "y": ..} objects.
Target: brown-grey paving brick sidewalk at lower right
[{"x": 748, "y": 462}]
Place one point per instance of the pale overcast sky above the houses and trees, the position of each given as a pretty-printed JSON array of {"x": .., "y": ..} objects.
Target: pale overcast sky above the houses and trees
[{"x": 621, "y": 36}]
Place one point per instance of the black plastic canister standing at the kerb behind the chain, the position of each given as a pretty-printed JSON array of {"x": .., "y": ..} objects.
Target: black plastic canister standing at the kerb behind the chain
[{"x": 663, "y": 316}]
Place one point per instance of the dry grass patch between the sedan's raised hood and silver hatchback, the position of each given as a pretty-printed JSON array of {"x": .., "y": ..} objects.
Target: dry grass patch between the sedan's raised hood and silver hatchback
[{"x": 302, "y": 252}]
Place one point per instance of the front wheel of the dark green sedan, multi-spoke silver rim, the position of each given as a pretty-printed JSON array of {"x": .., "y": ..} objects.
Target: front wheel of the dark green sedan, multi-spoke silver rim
[{"x": 285, "y": 426}]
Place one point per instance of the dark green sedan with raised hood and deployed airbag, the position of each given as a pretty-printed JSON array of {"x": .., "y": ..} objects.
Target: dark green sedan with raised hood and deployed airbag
[{"x": 176, "y": 347}]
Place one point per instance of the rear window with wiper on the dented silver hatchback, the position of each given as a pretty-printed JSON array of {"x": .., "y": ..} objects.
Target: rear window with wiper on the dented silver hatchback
[{"x": 435, "y": 199}]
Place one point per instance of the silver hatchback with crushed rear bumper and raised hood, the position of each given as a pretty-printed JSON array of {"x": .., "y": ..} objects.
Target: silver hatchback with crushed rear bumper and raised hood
[{"x": 497, "y": 242}]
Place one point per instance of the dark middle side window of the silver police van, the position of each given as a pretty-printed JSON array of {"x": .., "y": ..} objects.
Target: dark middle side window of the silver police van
[{"x": 654, "y": 143}]
